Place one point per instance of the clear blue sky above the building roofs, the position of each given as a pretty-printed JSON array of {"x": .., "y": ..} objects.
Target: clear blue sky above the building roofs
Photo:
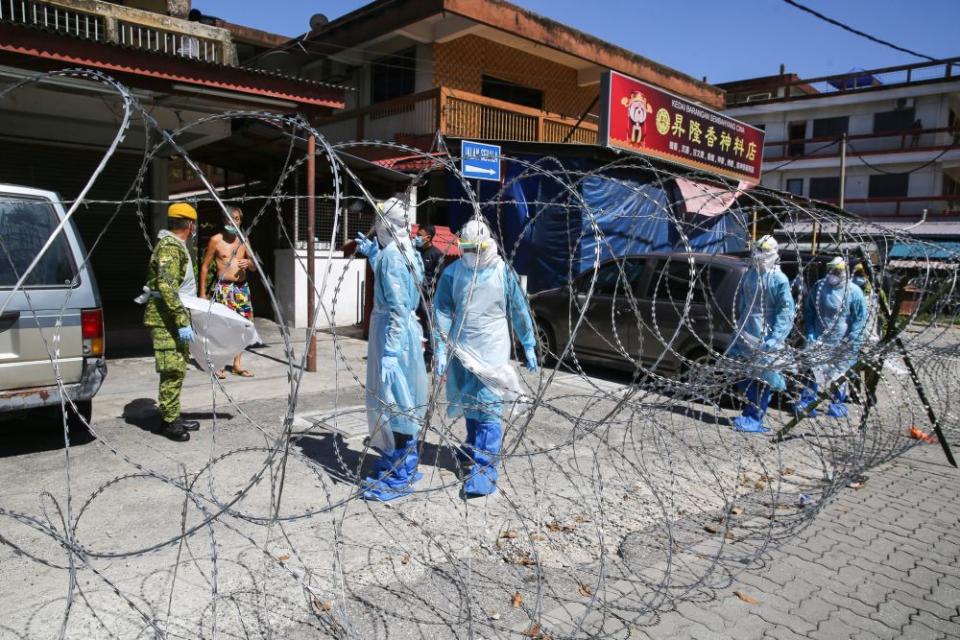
[{"x": 721, "y": 39}]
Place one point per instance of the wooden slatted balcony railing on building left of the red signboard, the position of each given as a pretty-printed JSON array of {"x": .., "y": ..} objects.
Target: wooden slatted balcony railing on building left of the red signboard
[{"x": 457, "y": 114}]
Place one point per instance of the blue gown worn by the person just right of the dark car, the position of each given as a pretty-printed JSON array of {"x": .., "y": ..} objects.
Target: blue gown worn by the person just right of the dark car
[{"x": 765, "y": 310}]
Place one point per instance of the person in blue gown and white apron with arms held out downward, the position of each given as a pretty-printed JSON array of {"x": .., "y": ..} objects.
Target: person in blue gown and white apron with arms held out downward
[{"x": 474, "y": 299}]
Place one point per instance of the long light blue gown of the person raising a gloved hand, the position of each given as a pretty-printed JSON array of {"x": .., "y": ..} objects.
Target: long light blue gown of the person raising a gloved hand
[{"x": 395, "y": 331}]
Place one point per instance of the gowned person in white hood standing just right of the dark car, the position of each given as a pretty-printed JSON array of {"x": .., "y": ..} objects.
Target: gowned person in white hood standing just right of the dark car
[{"x": 765, "y": 309}]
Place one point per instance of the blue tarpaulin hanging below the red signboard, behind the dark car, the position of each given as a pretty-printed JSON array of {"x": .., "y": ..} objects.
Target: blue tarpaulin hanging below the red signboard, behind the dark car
[{"x": 552, "y": 235}]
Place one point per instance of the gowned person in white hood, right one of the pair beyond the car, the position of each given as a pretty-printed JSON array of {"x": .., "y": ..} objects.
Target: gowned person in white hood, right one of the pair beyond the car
[{"x": 835, "y": 316}]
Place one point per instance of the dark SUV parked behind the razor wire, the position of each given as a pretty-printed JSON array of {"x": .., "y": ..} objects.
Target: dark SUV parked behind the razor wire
[{"x": 669, "y": 311}]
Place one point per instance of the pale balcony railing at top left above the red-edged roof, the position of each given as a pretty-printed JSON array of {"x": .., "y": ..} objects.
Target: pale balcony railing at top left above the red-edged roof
[{"x": 106, "y": 22}]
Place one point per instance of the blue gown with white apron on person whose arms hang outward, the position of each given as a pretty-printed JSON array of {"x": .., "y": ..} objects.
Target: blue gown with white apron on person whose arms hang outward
[{"x": 471, "y": 308}]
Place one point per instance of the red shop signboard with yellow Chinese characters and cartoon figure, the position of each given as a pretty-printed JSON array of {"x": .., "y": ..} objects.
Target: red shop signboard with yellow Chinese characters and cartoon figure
[{"x": 638, "y": 117}]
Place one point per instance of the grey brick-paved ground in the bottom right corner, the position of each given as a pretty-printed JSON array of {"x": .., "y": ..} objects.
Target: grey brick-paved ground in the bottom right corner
[{"x": 882, "y": 561}]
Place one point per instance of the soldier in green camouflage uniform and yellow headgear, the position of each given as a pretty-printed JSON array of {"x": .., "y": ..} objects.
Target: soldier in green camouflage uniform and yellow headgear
[{"x": 171, "y": 272}]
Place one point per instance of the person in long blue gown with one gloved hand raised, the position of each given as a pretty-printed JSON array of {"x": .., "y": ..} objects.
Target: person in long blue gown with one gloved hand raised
[{"x": 396, "y": 375}]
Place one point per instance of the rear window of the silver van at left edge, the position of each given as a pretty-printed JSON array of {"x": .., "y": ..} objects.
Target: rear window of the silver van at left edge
[{"x": 25, "y": 226}]
